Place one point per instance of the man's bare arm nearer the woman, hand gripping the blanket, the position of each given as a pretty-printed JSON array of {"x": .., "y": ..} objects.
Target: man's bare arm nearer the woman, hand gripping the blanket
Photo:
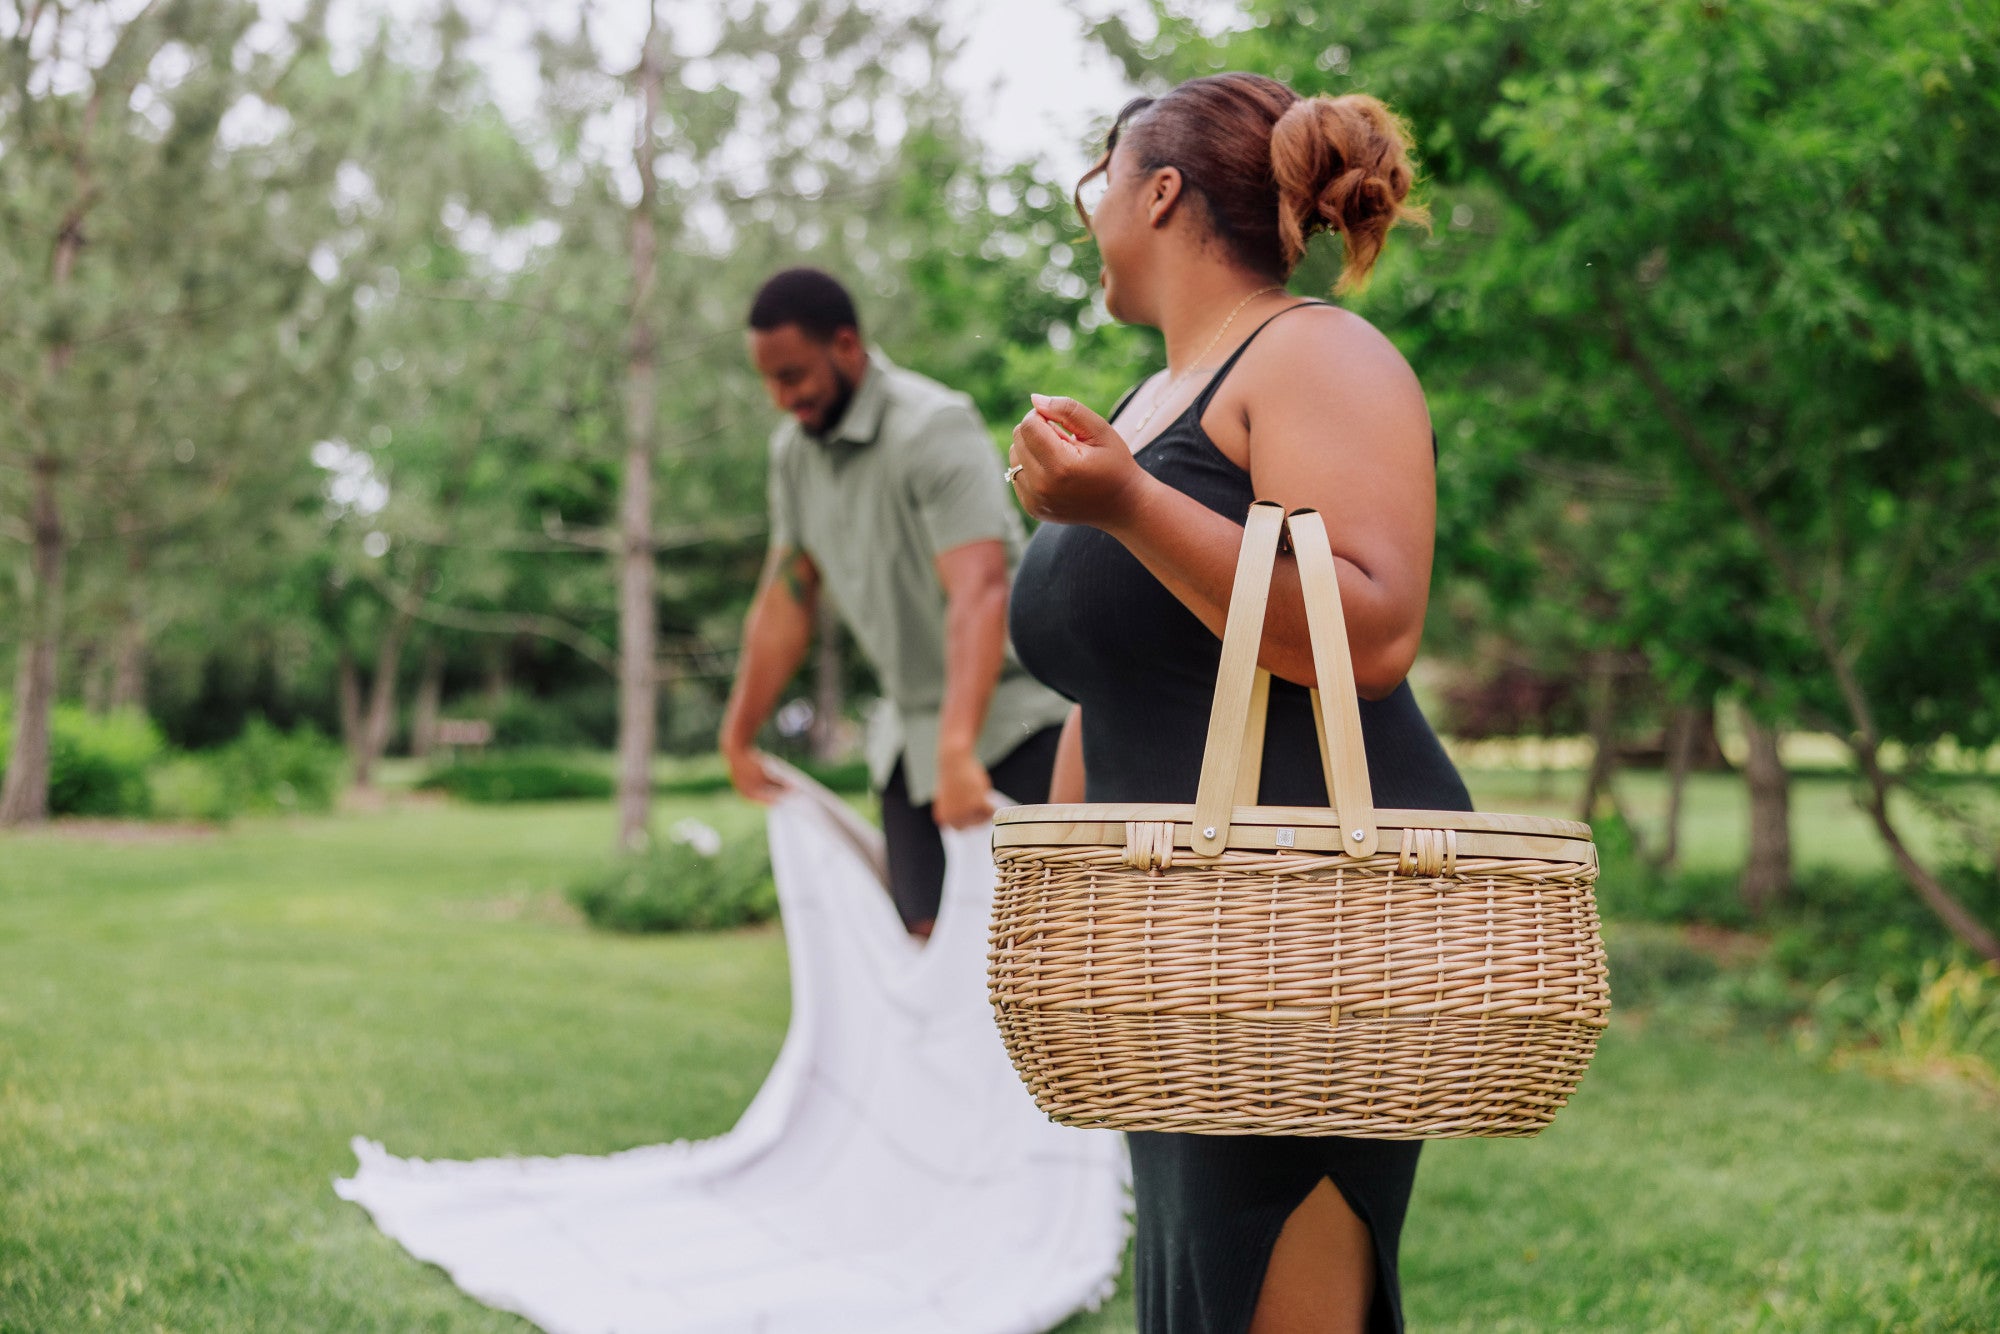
[{"x": 975, "y": 647}]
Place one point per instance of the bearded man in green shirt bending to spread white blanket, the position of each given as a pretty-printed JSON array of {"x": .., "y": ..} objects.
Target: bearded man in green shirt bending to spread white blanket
[{"x": 887, "y": 495}]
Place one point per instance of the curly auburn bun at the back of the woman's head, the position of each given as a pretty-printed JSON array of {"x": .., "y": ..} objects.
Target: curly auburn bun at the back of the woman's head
[{"x": 1343, "y": 165}]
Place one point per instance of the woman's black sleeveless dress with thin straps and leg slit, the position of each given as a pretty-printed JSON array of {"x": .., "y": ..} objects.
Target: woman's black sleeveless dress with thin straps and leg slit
[{"x": 1095, "y": 625}]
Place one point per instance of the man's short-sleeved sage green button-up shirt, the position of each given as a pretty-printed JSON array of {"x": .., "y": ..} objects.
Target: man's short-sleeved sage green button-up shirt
[{"x": 907, "y": 475}]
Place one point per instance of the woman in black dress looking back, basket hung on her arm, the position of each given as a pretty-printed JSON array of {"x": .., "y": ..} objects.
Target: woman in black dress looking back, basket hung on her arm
[{"x": 1211, "y": 195}]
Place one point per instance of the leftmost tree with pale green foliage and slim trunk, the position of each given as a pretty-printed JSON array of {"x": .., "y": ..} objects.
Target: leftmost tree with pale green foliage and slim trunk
[{"x": 165, "y": 311}]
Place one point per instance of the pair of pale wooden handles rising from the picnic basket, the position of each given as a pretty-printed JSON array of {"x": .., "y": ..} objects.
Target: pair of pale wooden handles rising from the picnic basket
[{"x": 1235, "y": 721}]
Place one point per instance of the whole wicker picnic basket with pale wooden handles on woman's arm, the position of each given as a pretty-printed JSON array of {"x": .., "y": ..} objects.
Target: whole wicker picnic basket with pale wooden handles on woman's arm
[{"x": 1239, "y": 969}]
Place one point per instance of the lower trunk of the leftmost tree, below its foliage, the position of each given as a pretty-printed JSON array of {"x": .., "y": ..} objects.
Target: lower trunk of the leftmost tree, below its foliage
[{"x": 25, "y": 791}]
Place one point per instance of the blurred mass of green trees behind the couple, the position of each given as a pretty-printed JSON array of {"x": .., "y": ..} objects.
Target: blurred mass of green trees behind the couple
[{"x": 347, "y": 391}]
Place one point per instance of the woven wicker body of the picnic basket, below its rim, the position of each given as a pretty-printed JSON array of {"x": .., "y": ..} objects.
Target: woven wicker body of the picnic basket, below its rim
[{"x": 1297, "y": 995}]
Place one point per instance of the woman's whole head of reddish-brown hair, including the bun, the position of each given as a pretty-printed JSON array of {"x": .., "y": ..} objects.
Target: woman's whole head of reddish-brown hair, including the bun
[{"x": 1275, "y": 169}]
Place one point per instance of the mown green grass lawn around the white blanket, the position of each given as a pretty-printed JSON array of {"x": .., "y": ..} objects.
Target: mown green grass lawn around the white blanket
[{"x": 193, "y": 1027}]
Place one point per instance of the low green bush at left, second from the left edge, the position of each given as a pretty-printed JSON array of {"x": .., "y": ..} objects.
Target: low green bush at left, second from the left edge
[{"x": 263, "y": 771}]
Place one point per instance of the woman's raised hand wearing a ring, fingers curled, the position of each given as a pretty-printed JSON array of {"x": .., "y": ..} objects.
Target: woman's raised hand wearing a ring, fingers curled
[{"x": 1075, "y": 469}]
